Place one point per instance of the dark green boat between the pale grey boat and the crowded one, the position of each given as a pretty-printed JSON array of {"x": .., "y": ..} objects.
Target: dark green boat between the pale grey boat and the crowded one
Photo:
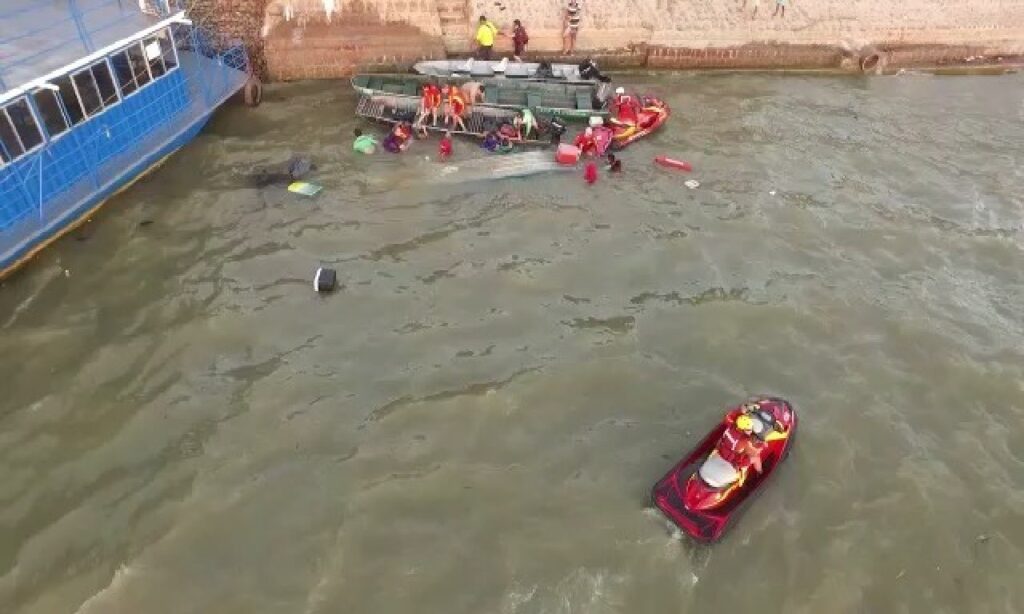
[{"x": 565, "y": 101}]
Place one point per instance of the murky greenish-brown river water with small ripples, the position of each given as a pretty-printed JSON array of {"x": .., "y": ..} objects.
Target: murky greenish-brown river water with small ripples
[{"x": 474, "y": 422}]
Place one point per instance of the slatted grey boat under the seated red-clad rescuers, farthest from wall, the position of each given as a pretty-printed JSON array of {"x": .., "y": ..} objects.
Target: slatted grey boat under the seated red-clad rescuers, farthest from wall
[{"x": 392, "y": 109}]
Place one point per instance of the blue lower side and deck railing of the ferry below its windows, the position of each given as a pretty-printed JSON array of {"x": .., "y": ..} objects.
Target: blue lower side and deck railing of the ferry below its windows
[{"x": 101, "y": 153}]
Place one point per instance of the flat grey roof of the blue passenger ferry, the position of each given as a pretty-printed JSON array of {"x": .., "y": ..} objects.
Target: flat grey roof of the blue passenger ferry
[{"x": 39, "y": 37}]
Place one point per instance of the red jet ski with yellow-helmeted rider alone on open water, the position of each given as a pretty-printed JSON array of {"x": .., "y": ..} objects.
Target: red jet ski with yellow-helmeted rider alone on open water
[{"x": 706, "y": 492}]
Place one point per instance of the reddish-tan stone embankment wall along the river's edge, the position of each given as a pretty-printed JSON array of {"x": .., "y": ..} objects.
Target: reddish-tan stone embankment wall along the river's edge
[{"x": 332, "y": 38}]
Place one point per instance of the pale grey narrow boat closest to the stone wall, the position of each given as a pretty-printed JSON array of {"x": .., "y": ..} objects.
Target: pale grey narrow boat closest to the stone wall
[{"x": 503, "y": 69}]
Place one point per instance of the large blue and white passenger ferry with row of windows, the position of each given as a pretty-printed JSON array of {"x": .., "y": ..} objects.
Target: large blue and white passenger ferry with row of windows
[{"x": 95, "y": 94}]
